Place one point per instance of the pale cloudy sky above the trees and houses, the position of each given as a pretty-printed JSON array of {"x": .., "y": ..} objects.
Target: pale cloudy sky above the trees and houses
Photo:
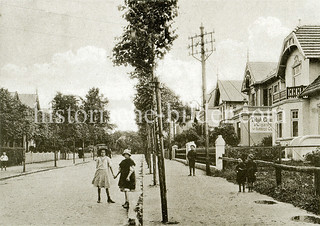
[{"x": 65, "y": 46}]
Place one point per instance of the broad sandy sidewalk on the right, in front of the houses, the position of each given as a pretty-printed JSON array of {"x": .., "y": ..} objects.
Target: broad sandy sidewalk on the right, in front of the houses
[{"x": 203, "y": 200}]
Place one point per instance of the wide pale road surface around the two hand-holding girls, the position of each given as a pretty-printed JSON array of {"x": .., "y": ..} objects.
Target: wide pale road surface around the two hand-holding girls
[{"x": 61, "y": 196}]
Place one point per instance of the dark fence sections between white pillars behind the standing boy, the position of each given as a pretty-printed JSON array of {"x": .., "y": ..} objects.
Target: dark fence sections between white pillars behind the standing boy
[{"x": 201, "y": 155}]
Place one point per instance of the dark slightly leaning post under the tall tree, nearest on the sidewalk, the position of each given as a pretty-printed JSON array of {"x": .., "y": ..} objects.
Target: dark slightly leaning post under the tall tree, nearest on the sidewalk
[{"x": 161, "y": 166}]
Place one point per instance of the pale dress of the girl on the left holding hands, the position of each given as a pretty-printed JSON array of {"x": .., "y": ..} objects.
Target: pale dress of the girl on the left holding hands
[{"x": 102, "y": 176}]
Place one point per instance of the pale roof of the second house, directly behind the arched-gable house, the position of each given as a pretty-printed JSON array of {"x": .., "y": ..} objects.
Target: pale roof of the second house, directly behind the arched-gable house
[{"x": 259, "y": 71}]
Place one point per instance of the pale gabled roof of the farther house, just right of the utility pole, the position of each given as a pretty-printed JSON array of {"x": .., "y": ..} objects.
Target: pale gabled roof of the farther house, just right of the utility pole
[{"x": 227, "y": 91}]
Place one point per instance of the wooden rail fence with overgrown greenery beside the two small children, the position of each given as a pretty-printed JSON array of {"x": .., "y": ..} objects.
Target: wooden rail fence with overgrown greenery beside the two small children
[{"x": 290, "y": 181}]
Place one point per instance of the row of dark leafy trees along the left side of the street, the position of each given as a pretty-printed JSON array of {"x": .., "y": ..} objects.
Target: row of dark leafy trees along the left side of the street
[{"x": 73, "y": 122}]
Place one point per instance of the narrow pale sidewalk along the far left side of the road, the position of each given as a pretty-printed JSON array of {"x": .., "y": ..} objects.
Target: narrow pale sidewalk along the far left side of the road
[{"x": 15, "y": 171}]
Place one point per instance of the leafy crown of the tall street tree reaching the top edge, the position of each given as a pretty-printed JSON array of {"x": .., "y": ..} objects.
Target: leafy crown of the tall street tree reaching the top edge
[{"x": 146, "y": 38}]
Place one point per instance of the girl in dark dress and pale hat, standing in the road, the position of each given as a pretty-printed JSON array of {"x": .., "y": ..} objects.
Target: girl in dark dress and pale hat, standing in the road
[{"x": 127, "y": 181}]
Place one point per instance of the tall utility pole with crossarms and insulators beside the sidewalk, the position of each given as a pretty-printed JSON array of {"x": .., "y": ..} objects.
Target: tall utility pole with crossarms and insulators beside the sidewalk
[{"x": 205, "y": 51}]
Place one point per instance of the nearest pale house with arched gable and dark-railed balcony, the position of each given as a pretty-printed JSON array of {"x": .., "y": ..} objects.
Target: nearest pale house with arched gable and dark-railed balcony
[{"x": 297, "y": 106}]
